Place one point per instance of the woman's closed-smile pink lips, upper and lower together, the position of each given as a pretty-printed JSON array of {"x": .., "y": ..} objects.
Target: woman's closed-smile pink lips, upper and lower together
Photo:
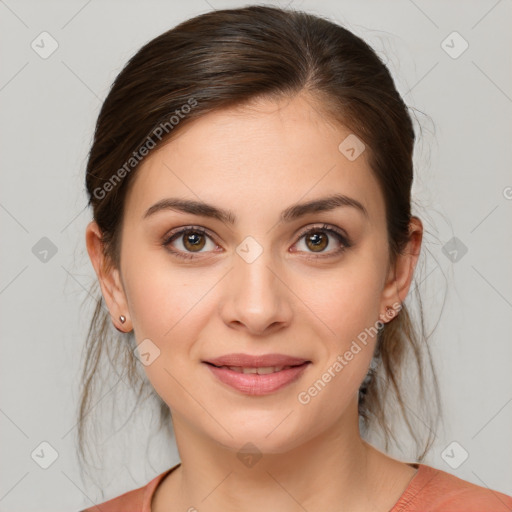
[{"x": 252, "y": 383}]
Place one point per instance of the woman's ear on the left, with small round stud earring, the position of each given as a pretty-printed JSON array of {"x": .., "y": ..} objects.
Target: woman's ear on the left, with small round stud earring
[{"x": 108, "y": 277}]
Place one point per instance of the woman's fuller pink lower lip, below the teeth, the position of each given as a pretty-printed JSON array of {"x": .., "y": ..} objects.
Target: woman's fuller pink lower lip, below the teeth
[{"x": 254, "y": 384}]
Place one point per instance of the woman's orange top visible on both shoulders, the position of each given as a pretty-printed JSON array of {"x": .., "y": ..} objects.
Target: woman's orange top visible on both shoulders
[{"x": 430, "y": 490}]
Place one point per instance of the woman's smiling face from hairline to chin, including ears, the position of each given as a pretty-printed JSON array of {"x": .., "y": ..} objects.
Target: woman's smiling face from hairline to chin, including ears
[{"x": 311, "y": 285}]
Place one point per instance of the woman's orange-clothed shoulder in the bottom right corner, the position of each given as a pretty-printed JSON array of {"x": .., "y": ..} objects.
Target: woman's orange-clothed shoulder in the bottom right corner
[{"x": 438, "y": 491}]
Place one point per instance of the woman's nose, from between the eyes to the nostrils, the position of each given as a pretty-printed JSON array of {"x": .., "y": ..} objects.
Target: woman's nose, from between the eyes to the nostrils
[{"x": 257, "y": 298}]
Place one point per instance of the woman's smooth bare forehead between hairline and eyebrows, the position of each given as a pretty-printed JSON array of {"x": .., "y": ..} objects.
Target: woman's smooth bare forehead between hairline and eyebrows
[{"x": 268, "y": 155}]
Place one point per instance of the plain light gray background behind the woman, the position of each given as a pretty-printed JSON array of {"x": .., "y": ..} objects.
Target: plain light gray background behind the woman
[{"x": 463, "y": 185}]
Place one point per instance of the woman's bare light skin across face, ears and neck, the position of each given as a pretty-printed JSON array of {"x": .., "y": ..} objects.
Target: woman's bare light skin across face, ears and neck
[{"x": 273, "y": 155}]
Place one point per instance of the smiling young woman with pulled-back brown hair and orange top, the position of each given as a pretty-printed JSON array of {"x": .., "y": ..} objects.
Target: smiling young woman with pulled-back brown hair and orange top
[{"x": 250, "y": 181}]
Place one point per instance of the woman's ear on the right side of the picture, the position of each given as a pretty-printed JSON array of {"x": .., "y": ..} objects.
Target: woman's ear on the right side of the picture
[{"x": 400, "y": 274}]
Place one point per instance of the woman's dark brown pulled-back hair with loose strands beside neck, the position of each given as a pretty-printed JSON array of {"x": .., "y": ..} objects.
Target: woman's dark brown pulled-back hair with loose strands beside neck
[{"x": 231, "y": 57}]
